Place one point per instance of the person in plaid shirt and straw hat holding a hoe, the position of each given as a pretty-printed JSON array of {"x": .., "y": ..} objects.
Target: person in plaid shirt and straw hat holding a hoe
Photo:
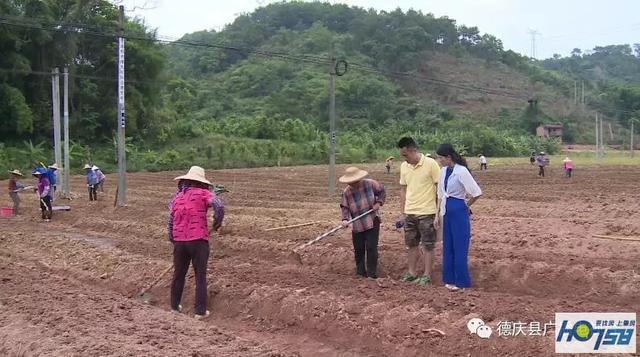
[{"x": 359, "y": 197}]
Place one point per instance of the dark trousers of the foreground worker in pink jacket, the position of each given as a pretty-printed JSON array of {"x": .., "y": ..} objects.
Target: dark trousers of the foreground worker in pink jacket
[{"x": 197, "y": 253}]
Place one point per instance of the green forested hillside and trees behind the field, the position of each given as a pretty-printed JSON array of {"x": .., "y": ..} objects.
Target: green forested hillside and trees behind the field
[{"x": 256, "y": 93}]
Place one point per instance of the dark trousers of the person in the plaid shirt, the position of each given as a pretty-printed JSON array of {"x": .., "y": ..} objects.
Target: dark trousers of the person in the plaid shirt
[{"x": 367, "y": 242}]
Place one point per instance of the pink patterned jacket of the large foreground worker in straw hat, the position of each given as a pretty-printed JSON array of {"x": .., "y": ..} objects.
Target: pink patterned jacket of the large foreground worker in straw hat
[{"x": 189, "y": 212}]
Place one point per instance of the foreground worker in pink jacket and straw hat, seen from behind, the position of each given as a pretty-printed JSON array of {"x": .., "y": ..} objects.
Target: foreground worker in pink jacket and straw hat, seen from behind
[{"x": 189, "y": 233}]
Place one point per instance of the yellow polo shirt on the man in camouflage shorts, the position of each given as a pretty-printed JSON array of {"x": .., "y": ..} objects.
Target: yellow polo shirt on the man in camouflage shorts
[{"x": 421, "y": 181}]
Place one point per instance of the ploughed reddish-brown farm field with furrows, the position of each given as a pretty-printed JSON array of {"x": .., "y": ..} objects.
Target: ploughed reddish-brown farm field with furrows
[{"x": 70, "y": 286}]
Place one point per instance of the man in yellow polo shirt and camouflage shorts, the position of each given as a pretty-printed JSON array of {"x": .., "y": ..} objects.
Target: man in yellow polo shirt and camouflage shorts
[{"x": 419, "y": 177}]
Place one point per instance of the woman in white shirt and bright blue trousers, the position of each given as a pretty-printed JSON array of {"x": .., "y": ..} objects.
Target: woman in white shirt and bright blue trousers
[{"x": 455, "y": 183}]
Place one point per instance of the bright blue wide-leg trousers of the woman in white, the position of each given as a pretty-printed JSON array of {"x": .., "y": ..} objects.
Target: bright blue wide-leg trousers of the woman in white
[{"x": 455, "y": 245}]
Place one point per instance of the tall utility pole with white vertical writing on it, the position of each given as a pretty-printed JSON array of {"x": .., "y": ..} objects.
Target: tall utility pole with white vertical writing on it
[{"x": 121, "y": 198}]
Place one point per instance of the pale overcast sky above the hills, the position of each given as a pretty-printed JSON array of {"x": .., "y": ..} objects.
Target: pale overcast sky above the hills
[{"x": 562, "y": 24}]
